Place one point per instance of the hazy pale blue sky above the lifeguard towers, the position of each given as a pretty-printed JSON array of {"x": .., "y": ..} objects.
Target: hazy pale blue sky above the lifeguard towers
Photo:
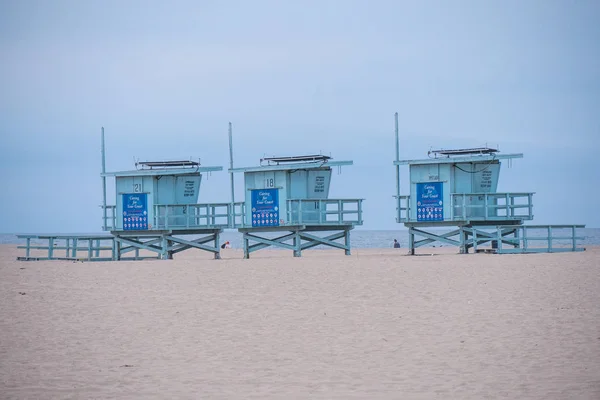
[{"x": 165, "y": 78}]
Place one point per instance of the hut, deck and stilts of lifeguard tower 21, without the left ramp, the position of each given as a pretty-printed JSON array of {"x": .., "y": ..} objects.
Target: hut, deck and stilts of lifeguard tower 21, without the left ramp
[{"x": 156, "y": 209}]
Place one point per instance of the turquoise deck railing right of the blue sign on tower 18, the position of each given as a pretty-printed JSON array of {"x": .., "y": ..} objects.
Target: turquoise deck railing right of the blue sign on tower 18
[{"x": 324, "y": 211}]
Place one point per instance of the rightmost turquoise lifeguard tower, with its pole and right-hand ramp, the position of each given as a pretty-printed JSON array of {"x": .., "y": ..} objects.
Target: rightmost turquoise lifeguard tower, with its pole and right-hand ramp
[{"x": 458, "y": 188}]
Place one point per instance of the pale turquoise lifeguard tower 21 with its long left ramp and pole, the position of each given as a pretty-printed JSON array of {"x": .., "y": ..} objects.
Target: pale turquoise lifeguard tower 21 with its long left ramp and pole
[{"x": 156, "y": 210}]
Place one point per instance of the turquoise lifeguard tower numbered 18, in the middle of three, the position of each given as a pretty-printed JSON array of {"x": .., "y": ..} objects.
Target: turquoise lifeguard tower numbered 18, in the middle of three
[{"x": 291, "y": 195}]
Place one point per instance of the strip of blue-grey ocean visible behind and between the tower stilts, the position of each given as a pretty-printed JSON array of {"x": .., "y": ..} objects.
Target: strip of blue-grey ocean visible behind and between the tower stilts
[{"x": 361, "y": 238}]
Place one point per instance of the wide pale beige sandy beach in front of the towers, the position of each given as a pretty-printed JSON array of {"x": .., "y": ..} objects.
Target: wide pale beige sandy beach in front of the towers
[{"x": 374, "y": 325}]
